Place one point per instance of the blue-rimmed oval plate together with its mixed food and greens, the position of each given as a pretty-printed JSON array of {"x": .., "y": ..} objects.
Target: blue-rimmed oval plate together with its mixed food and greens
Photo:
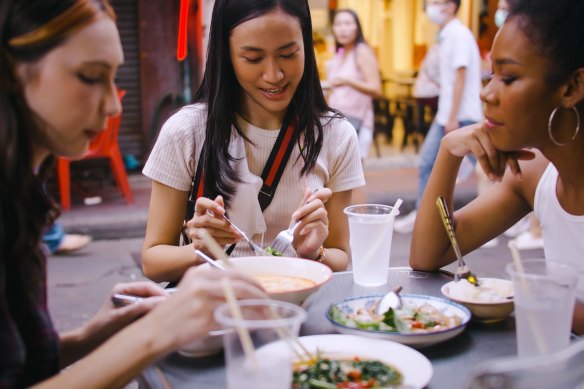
[{"x": 422, "y": 321}]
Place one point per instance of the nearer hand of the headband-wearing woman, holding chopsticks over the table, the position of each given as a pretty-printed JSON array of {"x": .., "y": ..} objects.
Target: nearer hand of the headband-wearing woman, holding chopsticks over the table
[{"x": 187, "y": 315}]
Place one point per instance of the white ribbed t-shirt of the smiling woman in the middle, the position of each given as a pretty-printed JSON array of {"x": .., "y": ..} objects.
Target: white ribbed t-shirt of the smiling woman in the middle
[{"x": 173, "y": 159}]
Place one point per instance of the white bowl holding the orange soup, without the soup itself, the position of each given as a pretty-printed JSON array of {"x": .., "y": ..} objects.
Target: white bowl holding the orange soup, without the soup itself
[{"x": 313, "y": 271}]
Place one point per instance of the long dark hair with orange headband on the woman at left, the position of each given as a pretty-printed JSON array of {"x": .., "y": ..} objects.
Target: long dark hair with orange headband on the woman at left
[{"x": 28, "y": 31}]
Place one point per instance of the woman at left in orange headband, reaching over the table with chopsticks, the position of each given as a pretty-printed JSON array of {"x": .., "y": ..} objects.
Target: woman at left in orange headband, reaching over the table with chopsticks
[{"x": 58, "y": 59}]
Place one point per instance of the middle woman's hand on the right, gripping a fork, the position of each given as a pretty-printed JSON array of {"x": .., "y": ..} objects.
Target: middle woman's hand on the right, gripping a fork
[{"x": 313, "y": 228}]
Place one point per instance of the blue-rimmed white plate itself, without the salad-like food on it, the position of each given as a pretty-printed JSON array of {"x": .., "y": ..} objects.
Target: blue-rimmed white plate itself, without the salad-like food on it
[{"x": 413, "y": 339}]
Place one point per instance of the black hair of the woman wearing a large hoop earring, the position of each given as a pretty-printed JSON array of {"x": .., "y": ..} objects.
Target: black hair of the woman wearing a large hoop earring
[{"x": 557, "y": 31}]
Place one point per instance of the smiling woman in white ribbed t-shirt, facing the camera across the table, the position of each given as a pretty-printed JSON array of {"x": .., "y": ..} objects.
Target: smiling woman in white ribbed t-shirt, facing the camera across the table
[{"x": 260, "y": 83}]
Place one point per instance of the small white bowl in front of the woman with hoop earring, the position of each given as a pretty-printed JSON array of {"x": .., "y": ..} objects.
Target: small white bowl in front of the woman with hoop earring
[{"x": 485, "y": 311}]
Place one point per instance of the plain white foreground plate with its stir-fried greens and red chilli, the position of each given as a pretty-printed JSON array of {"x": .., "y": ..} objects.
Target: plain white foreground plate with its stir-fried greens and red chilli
[{"x": 348, "y": 361}]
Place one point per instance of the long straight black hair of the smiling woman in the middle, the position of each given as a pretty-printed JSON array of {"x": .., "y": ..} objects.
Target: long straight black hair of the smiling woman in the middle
[{"x": 221, "y": 92}]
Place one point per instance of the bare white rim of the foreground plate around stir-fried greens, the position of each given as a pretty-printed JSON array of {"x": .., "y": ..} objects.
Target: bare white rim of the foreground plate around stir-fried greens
[{"x": 415, "y": 368}]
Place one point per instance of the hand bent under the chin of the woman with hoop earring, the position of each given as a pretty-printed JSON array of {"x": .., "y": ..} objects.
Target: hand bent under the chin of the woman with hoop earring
[{"x": 475, "y": 139}]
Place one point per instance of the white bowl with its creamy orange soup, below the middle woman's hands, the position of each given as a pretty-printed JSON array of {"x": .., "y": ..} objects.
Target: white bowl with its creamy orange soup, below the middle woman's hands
[{"x": 284, "y": 278}]
